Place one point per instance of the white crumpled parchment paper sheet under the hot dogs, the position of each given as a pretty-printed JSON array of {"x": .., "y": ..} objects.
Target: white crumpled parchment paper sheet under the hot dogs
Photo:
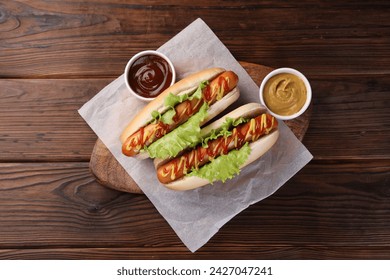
[{"x": 196, "y": 215}]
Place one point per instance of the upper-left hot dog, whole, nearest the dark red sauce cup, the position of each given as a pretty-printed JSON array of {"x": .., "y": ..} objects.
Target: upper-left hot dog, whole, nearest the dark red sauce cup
[{"x": 209, "y": 91}]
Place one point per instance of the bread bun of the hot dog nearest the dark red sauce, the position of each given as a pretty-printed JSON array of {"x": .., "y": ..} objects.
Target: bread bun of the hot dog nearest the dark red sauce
[{"x": 188, "y": 85}]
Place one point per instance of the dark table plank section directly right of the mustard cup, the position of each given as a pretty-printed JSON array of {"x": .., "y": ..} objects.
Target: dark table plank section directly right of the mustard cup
[{"x": 350, "y": 118}]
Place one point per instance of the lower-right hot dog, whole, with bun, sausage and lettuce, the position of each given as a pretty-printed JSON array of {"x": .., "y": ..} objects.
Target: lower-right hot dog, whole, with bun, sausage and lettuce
[{"x": 251, "y": 131}]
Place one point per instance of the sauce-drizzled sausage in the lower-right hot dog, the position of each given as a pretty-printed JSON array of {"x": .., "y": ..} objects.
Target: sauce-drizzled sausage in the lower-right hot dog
[{"x": 196, "y": 158}]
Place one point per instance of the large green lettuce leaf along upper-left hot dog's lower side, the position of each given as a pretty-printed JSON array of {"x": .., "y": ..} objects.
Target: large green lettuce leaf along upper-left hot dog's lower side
[{"x": 186, "y": 135}]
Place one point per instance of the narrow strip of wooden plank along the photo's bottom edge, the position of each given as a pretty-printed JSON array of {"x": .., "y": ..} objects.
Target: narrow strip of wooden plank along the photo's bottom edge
[{"x": 271, "y": 252}]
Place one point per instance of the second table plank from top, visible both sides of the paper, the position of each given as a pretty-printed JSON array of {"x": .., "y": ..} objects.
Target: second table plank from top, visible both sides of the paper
[{"x": 41, "y": 123}]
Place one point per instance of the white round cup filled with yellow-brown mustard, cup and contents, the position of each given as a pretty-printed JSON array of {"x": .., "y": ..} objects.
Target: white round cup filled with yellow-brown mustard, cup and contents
[{"x": 286, "y": 93}]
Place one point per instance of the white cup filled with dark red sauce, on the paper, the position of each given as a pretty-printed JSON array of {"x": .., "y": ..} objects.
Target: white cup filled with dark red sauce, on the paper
[{"x": 149, "y": 73}]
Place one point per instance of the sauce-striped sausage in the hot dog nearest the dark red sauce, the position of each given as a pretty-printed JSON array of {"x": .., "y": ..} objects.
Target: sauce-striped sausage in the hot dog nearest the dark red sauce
[{"x": 213, "y": 92}]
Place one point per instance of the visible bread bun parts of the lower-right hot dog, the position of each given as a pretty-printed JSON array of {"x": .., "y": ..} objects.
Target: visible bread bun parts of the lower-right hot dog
[{"x": 258, "y": 147}]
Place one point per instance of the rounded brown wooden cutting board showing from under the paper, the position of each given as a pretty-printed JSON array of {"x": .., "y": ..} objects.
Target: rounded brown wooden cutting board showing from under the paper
[{"x": 110, "y": 173}]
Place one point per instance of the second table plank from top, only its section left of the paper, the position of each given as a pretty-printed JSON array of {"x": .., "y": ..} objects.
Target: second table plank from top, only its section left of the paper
[{"x": 39, "y": 119}]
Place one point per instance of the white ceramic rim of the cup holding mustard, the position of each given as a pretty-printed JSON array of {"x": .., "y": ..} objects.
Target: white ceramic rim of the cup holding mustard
[{"x": 299, "y": 75}]
